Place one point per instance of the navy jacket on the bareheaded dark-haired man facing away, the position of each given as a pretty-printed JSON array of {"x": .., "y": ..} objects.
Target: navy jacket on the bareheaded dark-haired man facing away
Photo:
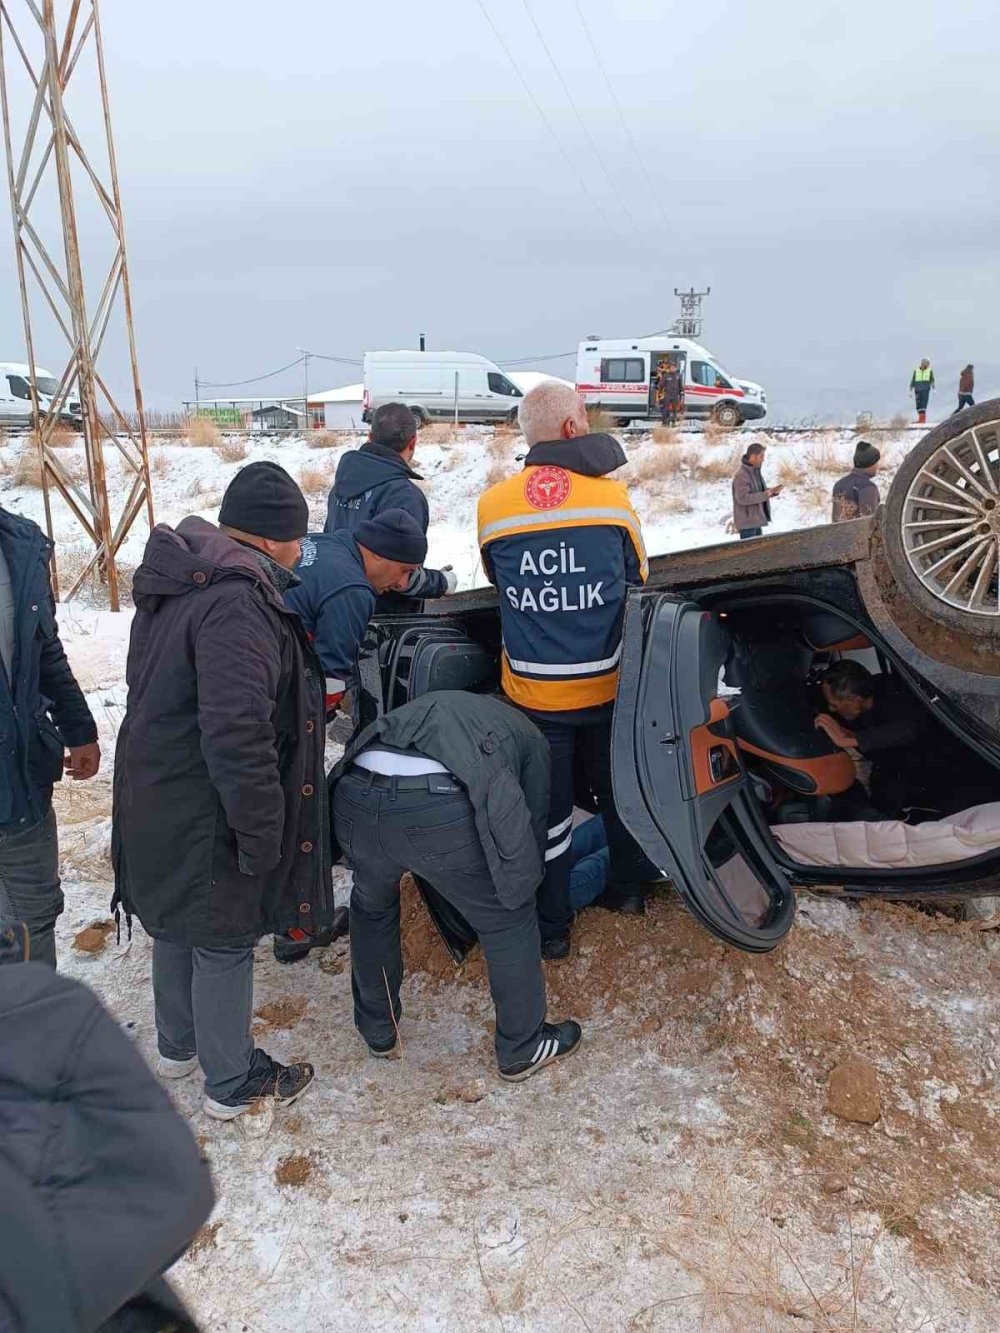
[{"x": 371, "y": 481}]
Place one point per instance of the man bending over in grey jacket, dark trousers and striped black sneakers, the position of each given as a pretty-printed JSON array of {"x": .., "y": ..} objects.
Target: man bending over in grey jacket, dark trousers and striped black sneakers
[{"x": 454, "y": 788}]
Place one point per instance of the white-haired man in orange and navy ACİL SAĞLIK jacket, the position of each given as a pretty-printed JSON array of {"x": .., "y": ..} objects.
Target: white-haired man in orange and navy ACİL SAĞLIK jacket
[{"x": 562, "y": 543}]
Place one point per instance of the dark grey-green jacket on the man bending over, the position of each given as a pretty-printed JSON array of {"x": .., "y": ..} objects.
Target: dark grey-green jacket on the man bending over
[{"x": 502, "y": 760}]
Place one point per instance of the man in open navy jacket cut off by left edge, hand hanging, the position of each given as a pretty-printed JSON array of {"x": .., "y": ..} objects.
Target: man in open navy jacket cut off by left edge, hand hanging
[{"x": 43, "y": 714}]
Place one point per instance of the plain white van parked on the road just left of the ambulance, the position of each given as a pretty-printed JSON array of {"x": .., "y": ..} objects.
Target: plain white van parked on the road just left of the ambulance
[{"x": 431, "y": 383}]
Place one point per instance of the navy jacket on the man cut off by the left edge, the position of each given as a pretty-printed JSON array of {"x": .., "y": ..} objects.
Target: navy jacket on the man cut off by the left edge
[{"x": 42, "y": 710}]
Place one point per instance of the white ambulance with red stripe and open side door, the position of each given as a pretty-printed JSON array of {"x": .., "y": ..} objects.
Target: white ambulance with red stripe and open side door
[{"x": 619, "y": 377}]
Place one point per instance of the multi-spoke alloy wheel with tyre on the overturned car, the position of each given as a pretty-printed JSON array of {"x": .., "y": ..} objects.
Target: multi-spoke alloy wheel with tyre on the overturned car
[{"x": 942, "y": 523}]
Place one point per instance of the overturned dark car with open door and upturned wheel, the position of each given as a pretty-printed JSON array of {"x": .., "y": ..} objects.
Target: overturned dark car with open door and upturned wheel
[{"x": 719, "y": 647}]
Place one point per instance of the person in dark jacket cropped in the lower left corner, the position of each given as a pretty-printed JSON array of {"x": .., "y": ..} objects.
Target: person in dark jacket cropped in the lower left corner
[{"x": 102, "y": 1183}]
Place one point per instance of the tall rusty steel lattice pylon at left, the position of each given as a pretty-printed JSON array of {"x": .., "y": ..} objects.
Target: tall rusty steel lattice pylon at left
[{"x": 39, "y": 57}]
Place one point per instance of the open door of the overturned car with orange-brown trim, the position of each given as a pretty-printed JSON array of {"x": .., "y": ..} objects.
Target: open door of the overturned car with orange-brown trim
[{"x": 681, "y": 787}]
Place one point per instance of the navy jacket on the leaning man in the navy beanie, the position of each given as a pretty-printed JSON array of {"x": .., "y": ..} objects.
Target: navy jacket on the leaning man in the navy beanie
[{"x": 335, "y": 603}]
